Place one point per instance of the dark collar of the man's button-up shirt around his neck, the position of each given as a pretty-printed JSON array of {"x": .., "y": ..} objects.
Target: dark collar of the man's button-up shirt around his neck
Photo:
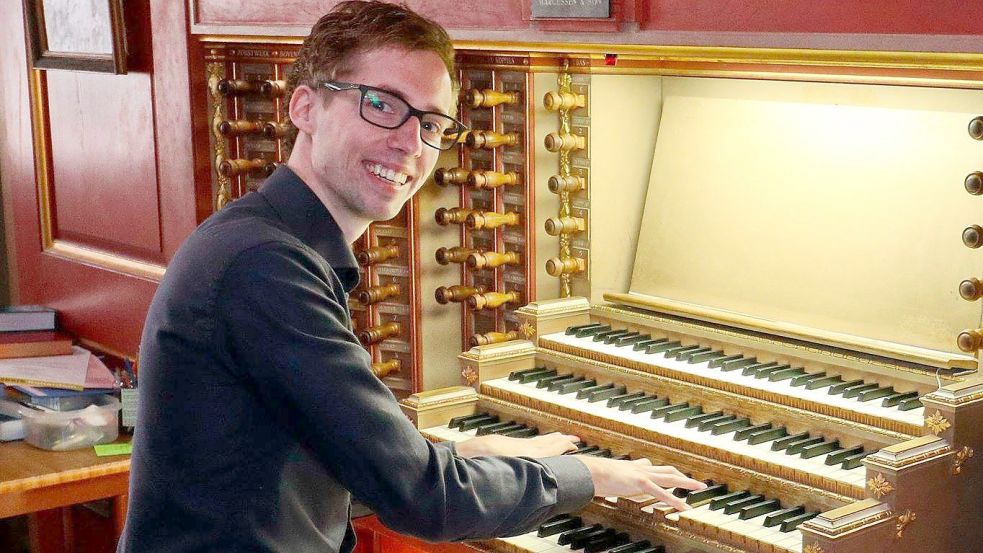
[{"x": 307, "y": 218}]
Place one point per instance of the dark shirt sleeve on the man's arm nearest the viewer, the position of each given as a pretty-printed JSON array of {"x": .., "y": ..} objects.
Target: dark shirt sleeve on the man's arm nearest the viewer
[{"x": 288, "y": 329}]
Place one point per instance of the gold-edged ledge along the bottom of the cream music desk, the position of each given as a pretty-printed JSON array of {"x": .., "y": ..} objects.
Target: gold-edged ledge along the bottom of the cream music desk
[{"x": 903, "y": 352}]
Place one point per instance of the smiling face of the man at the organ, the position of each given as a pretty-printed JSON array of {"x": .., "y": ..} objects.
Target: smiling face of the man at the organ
[{"x": 350, "y": 157}]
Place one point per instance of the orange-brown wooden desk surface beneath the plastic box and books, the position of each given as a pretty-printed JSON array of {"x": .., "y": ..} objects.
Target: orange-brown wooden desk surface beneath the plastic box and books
[{"x": 33, "y": 479}]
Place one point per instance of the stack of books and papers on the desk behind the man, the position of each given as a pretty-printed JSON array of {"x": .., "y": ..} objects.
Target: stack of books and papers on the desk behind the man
[{"x": 42, "y": 370}]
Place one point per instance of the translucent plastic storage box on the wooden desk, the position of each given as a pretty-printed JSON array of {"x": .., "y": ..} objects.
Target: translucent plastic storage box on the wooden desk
[{"x": 64, "y": 430}]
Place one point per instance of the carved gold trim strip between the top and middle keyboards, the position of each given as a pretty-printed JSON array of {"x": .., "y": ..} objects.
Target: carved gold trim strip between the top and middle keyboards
[{"x": 907, "y": 430}]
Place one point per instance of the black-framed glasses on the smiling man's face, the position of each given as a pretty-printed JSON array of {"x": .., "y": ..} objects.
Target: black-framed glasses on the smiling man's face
[{"x": 387, "y": 110}]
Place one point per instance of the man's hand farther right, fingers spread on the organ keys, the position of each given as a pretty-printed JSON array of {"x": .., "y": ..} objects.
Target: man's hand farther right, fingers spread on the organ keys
[{"x": 639, "y": 477}]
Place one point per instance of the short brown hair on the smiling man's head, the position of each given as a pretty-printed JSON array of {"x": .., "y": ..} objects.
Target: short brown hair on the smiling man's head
[{"x": 354, "y": 26}]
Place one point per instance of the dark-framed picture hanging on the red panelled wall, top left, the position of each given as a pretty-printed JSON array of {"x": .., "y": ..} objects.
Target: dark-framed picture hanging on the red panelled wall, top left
[{"x": 80, "y": 35}]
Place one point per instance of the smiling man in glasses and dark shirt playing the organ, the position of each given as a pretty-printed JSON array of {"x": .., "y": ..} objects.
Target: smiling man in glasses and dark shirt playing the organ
[{"x": 259, "y": 414}]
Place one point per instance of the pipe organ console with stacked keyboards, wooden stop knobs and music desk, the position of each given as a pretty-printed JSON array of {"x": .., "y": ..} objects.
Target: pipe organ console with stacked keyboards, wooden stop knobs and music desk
[{"x": 761, "y": 281}]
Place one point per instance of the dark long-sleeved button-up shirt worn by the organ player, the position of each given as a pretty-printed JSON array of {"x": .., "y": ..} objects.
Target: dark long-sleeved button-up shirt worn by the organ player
[{"x": 259, "y": 413}]
